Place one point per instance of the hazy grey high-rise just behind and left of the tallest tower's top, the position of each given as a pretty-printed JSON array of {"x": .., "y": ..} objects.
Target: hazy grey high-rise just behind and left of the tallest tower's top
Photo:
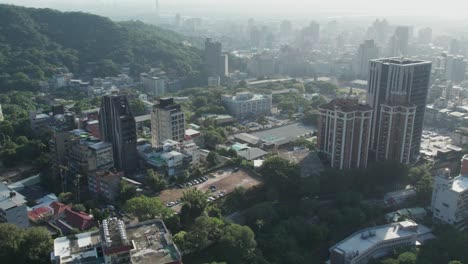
[{"x": 367, "y": 51}]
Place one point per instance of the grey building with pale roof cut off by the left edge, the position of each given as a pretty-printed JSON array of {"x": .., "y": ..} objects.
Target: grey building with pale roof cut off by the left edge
[{"x": 13, "y": 209}]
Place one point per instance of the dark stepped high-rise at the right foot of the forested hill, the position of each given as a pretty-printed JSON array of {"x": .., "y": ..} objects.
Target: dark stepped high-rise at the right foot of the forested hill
[{"x": 215, "y": 63}]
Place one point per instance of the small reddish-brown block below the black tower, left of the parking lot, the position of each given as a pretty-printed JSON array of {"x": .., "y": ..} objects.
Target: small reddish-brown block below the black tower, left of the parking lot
[{"x": 104, "y": 183}]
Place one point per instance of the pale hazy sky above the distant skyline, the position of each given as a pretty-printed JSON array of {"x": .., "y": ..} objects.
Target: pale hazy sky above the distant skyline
[{"x": 441, "y": 8}]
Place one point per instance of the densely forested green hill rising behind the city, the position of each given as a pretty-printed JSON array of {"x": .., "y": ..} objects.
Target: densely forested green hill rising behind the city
[{"x": 34, "y": 41}]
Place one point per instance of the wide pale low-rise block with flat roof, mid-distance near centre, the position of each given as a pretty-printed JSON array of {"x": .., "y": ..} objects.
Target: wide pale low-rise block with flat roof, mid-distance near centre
[{"x": 246, "y": 104}]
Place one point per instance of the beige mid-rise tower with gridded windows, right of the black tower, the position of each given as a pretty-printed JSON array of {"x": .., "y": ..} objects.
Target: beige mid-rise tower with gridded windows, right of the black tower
[{"x": 167, "y": 122}]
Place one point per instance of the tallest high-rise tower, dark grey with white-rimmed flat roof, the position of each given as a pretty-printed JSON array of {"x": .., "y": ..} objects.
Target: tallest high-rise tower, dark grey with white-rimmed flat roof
[{"x": 397, "y": 93}]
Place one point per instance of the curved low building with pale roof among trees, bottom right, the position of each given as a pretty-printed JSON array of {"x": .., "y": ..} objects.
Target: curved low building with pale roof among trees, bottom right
[{"x": 374, "y": 242}]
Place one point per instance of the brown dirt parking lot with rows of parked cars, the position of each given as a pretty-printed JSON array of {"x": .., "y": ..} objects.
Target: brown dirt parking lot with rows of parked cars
[{"x": 225, "y": 181}]
